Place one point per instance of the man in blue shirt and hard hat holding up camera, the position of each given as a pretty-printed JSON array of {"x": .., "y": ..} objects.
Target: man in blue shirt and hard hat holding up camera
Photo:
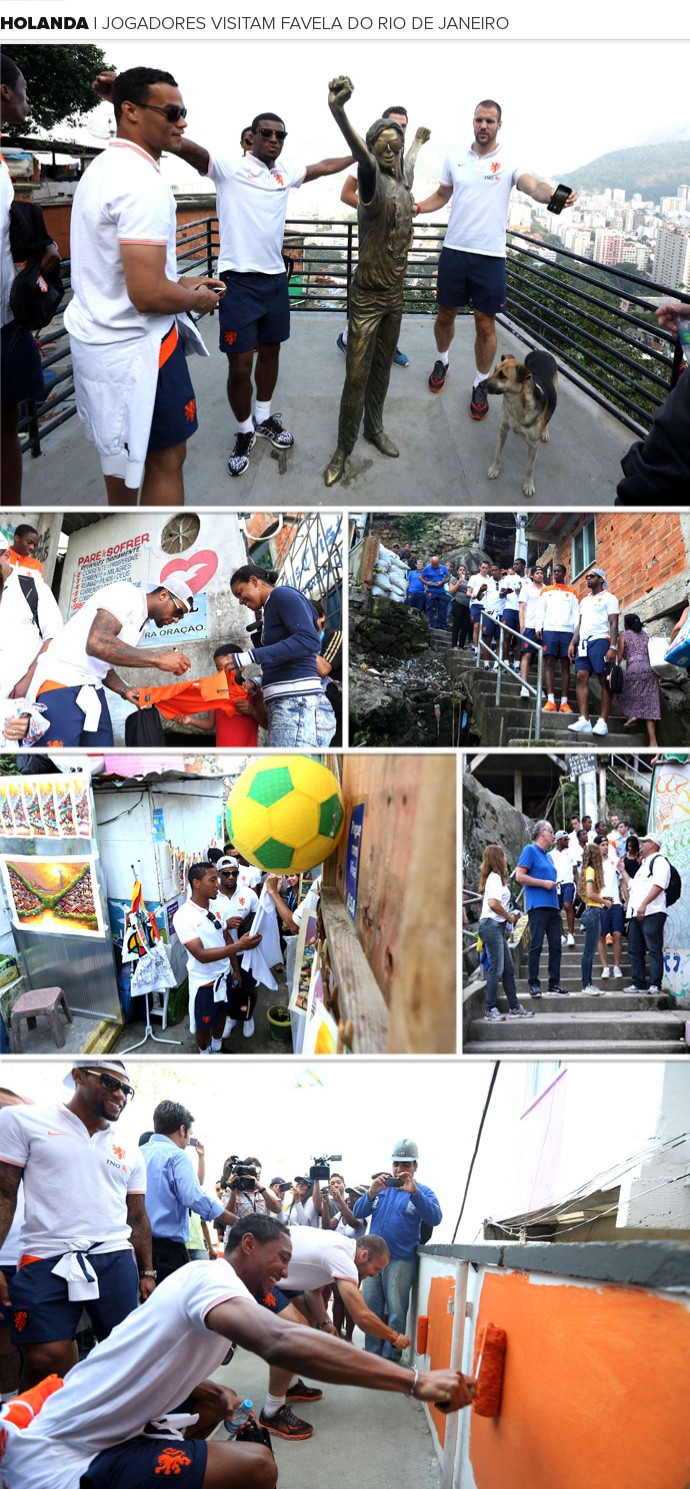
[{"x": 399, "y": 1210}]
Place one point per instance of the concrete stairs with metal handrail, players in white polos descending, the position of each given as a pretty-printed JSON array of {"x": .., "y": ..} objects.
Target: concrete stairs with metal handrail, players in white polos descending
[{"x": 512, "y": 721}]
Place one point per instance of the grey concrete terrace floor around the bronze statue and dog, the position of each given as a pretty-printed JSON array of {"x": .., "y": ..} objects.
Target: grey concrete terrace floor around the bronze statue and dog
[{"x": 445, "y": 455}]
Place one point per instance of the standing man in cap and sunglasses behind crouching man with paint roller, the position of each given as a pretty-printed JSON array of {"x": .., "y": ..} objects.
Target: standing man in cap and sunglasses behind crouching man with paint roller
[{"x": 86, "y": 1231}]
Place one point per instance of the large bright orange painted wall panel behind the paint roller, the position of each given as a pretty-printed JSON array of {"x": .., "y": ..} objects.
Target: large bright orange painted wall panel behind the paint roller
[{"x": 595, "y": 1390}]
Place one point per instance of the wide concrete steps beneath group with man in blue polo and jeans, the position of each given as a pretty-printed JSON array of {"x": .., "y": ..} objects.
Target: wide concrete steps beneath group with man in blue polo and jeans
[{"x": 613, "y": 1024}]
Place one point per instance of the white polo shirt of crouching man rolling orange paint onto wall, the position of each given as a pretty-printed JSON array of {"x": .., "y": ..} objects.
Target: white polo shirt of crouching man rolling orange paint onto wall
[{"x": 138, "y": 1375}]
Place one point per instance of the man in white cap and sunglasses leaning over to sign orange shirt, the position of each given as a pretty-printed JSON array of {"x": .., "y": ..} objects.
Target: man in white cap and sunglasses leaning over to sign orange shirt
[{"x": 105, "y": 634}]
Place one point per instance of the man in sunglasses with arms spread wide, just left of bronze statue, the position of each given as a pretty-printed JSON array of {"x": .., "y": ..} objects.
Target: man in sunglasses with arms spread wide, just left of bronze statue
[{"x": 254, "y": 316}]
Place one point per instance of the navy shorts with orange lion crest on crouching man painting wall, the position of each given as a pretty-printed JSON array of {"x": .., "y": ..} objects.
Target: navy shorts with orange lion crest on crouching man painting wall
[{"x": 147, "y": 1461}]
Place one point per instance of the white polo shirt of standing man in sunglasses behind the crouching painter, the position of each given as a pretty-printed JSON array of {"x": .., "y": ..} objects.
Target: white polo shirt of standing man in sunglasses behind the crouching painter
[{"x": 75, "y": 1184}]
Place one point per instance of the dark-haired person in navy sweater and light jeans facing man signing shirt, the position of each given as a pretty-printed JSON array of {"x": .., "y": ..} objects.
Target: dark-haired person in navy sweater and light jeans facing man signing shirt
[{"x": 300, "y": 715}]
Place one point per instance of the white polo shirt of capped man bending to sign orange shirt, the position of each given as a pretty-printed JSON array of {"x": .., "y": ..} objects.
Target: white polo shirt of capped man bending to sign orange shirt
[{"x": 66, "y": 660}]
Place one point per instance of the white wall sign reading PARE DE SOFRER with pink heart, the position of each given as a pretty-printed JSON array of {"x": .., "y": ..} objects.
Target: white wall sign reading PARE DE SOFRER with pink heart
[{"x": 115, "y": 565}]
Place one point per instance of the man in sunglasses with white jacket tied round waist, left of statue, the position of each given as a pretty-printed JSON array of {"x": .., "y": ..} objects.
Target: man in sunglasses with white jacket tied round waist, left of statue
[{"x": 129, "y": 318}]
